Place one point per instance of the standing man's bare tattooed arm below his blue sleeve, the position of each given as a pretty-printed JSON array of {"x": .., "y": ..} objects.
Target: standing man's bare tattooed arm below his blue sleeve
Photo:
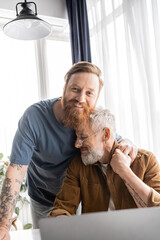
[{"x": 10, "y": 192}]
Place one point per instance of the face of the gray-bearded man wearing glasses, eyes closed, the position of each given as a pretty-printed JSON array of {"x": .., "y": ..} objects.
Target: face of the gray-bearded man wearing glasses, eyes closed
[{"x": 91, "y": 144}]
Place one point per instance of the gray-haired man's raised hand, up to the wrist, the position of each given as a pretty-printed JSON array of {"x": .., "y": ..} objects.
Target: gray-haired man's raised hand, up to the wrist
[{"x": 120, "y": 163}]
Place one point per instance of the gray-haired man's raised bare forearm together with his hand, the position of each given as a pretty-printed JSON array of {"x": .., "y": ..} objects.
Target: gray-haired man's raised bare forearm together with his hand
[{"x": 140, "y": 191}]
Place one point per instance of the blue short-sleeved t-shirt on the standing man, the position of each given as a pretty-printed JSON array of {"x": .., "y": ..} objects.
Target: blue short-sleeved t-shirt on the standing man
[{"x": 47, "y": 147}]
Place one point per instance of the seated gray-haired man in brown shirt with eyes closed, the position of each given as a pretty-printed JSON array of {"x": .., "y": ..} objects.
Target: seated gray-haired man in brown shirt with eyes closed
[{"x": 104, "y": 177}]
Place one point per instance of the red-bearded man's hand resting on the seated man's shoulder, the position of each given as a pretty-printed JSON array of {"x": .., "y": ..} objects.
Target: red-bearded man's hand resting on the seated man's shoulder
[{"x": 128, "y": 148}]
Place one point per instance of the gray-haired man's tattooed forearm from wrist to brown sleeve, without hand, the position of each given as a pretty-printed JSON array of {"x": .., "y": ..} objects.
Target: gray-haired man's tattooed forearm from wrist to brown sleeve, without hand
[{"x": 137, "y": 188}]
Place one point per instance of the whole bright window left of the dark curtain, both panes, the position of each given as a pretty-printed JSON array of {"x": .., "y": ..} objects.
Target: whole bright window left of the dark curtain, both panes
[{"x": 21, "y": 70}]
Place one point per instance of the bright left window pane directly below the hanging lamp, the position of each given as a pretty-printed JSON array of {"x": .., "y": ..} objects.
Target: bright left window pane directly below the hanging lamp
[{"x": 18, "y": 85}]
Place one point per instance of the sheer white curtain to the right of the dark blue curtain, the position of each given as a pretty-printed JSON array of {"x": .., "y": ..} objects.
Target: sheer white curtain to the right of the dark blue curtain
[{"x": 125, "y": 37}]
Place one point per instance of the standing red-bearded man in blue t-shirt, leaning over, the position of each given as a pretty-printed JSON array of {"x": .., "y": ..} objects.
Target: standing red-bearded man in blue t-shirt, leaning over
[{"x": 44, "y": 144}]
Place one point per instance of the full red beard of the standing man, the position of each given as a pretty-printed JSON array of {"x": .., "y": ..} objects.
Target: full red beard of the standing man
[{"x": 74, "y": 118}]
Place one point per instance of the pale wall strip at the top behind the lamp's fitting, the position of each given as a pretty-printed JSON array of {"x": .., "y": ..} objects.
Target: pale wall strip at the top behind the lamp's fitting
[{"x": 53, "y": 8}]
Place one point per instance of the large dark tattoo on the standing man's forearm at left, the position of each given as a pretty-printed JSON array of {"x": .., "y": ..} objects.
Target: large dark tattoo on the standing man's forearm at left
[{"x": 8, "y": 201}]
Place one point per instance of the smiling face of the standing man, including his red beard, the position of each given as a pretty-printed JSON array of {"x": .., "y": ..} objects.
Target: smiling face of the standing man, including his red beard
[{"x": 79, "y": 98}]
